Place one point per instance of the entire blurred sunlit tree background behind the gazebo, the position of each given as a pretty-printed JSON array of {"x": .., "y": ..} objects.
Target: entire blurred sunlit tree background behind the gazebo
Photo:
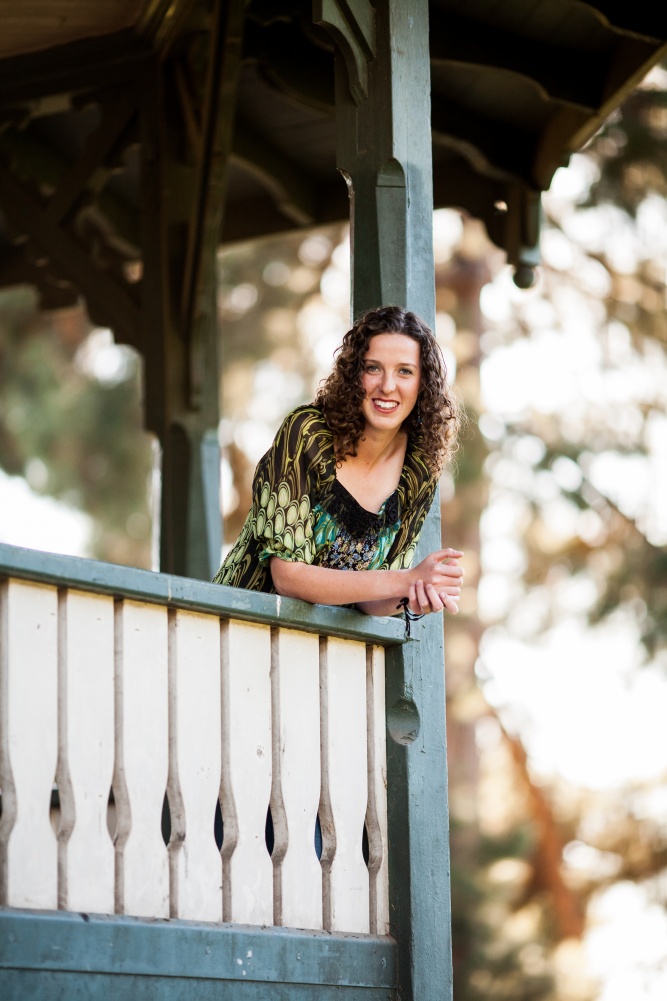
[{"x": 556, "y": 665}]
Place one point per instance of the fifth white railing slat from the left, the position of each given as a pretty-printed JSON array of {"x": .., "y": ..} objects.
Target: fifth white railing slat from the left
[{"x": 247, "y": 784}]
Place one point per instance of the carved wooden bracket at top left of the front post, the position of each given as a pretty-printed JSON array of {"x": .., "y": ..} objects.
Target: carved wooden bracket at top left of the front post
[{"x": 353, "y": 26}]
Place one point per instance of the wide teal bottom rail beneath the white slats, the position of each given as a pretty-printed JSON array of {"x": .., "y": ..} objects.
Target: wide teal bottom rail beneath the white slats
[{"x": 96, "y": 950}]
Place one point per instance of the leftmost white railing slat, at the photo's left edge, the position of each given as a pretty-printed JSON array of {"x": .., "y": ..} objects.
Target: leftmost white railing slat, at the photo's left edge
[{"x": 30, "y": 744}]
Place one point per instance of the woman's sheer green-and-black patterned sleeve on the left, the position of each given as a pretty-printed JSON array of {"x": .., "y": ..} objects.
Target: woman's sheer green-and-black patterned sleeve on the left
[{"x": 285, "y": 483}]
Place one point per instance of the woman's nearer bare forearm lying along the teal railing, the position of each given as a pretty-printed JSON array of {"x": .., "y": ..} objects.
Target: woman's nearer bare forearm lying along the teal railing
[{"x": 323, "y": 586}]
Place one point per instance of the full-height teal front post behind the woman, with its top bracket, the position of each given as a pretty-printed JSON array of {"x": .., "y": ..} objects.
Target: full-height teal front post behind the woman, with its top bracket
[{"x": 384, "y": 131}]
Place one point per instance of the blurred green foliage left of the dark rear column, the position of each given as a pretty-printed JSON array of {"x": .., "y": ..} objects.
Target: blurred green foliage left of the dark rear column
[{"x": 76, "y": 437}]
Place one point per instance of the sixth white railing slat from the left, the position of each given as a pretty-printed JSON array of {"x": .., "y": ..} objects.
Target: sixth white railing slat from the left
[{"x": 296, "y": 694}]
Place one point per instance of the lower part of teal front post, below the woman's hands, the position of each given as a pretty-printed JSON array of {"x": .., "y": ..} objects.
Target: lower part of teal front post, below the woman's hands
[{"x": 418, "y": 814}]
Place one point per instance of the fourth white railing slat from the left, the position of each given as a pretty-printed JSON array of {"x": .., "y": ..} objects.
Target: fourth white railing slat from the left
[{"x": 195, "y": 765}]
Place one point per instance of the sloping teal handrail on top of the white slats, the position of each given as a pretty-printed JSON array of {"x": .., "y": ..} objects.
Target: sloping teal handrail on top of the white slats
[{"x": 198, "y": 596}]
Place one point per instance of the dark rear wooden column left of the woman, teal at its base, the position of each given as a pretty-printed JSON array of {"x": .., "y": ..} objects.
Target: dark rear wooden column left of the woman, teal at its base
[{"x": 187, "y": 141}]
